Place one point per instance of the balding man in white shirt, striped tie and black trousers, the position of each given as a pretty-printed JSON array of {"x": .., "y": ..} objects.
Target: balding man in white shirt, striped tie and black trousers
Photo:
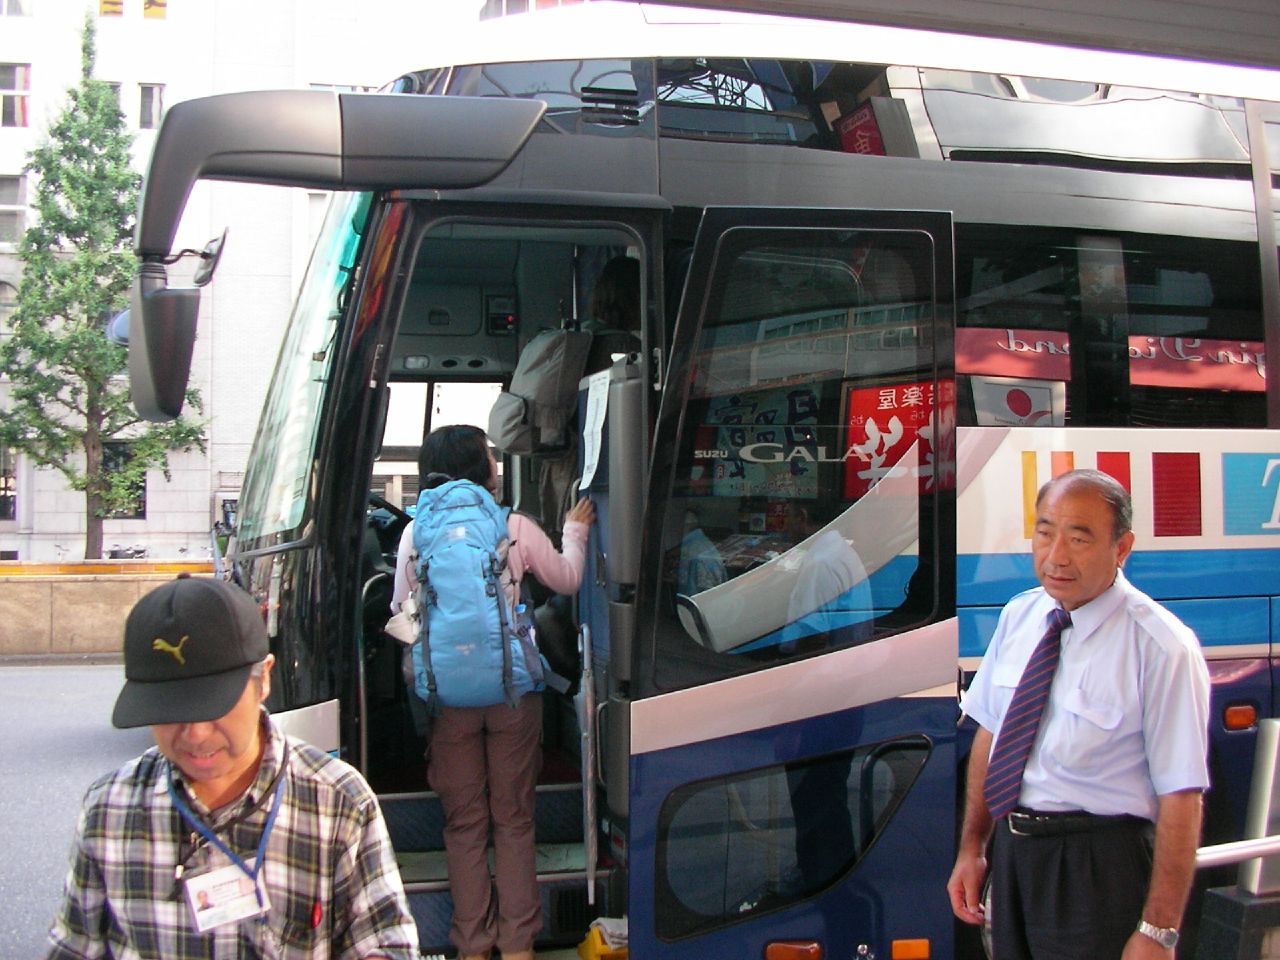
[{"x": 1096, "y": 857}]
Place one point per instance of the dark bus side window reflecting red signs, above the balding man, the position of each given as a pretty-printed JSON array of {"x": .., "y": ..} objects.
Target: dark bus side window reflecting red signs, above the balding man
[{"x": 1171, "y": 330}]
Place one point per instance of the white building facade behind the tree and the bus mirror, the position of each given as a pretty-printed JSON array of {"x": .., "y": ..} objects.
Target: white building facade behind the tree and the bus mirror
[{"x": 159, "y": 54}]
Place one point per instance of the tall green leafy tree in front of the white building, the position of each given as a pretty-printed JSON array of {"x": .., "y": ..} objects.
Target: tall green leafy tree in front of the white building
[{"x": 68, "y": 392}]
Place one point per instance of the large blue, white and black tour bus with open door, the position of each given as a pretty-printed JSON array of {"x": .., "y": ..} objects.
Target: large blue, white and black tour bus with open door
[{"x": 892, "y": 282}]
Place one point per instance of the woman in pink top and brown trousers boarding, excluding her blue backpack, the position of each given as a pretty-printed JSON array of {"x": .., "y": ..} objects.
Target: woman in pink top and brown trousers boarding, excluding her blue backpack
[{"x": 483, "y": 761}]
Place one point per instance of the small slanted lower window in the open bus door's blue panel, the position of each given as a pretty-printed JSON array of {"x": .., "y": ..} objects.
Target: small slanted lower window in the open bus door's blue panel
[{"x": 732, "y": 848}]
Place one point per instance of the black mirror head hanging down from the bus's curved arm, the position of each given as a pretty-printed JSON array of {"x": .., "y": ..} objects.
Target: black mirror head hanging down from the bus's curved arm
[{"x": 162, "y": 340}]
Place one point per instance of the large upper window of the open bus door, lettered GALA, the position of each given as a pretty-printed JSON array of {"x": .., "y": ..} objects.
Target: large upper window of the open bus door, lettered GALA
[{"x": 808, "y": 444}]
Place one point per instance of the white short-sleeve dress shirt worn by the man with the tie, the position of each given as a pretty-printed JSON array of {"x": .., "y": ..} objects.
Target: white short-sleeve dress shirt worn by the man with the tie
[{"x": 1128, "y": 714}]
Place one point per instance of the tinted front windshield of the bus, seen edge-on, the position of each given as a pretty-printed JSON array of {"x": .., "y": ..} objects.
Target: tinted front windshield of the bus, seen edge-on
[{"x": 276, "y": 493}]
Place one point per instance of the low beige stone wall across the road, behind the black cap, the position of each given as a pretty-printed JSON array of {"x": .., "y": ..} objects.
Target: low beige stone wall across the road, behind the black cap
[{"x": 74, "y": 614}]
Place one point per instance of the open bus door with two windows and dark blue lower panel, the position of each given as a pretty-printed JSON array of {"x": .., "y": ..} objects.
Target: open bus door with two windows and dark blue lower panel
[{"x": 790, "y": 710}]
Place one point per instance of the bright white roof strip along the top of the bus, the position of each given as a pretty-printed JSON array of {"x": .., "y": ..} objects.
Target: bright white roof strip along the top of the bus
[{"x": 609, "y": 30}]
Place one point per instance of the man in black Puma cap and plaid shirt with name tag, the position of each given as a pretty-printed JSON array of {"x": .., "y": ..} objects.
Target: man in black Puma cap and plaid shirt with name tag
[{"x": 227, "y": 839}]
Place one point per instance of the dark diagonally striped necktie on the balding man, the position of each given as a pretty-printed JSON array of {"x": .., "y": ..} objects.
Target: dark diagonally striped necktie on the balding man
[{"x": 1018, "y": 733}]
